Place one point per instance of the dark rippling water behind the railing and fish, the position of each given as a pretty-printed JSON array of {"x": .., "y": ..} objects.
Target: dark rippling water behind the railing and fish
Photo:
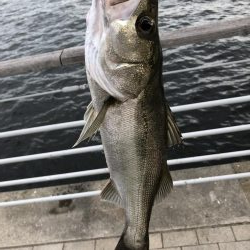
[{"x": 29, "y": 27}]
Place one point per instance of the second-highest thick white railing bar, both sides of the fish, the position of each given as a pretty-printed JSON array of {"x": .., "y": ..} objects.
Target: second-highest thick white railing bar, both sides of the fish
[{"x": 97, "y": 148}]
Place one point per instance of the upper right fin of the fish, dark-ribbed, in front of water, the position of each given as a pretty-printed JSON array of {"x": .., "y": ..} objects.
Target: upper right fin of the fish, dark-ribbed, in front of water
[{"x": 174, "y": 134}]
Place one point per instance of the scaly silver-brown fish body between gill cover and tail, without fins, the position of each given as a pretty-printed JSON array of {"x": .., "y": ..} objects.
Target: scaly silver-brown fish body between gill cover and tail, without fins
[{"x": 134, "y": 139}]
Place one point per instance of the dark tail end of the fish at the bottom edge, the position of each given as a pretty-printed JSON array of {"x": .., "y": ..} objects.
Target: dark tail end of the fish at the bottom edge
[{"x": 132, "y": 243}]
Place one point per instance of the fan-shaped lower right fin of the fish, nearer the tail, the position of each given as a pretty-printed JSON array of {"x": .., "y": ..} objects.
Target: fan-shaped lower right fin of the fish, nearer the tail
[{"x": 165, "y": 186}]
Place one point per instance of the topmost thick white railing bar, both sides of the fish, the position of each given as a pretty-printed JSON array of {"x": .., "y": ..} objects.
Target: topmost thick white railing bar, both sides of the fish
[{"x": 74, "y": 124}]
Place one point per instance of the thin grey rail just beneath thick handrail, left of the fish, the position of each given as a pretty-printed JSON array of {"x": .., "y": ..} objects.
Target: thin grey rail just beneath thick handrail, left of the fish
[{"x": 52, "y": 92}]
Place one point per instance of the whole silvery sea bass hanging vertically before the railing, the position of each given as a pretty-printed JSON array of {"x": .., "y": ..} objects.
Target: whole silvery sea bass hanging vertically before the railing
[{"x": 123, "y": 60}]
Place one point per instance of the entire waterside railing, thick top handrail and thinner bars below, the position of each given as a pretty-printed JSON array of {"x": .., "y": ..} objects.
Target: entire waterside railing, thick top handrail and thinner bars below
[{"x": 222, "y": 29}]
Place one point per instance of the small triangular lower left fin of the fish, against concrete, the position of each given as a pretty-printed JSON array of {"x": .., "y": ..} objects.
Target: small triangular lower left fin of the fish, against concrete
[{"x": 110, "y": 194}]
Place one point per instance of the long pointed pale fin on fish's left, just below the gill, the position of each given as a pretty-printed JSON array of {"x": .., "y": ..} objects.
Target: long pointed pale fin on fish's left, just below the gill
[{"x": 93, "y": 120}]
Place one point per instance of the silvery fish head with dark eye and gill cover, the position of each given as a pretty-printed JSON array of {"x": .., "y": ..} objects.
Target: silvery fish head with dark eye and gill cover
[{"x": 125, "y": 33}]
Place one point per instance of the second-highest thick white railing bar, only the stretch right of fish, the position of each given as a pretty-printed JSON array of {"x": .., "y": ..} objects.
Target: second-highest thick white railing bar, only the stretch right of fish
[{"x": 217, "y": 131}]
